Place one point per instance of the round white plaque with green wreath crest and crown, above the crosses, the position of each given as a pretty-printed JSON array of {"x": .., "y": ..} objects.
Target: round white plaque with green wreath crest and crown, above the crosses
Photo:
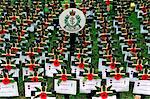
[{"x": 72, "y": 20}]
